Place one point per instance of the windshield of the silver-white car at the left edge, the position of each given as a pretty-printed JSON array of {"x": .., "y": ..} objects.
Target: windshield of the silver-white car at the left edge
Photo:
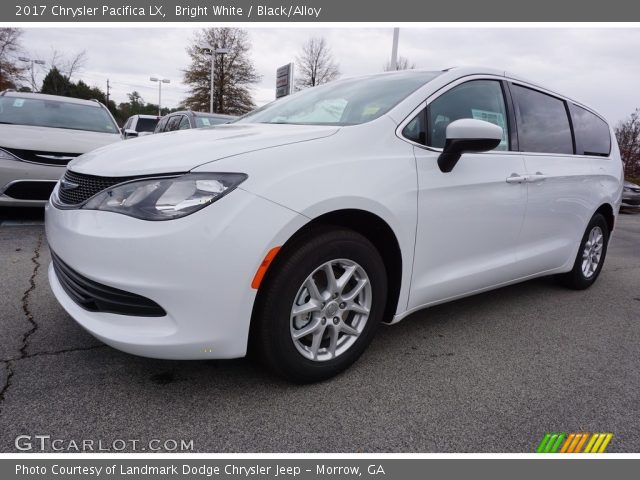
[{"x": 40, "y": 112}]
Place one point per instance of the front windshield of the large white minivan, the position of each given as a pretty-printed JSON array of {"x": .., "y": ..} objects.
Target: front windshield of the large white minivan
[{"x": 345, "y": 102}]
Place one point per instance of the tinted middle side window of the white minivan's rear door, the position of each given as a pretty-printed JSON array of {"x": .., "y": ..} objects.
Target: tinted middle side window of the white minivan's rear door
[{"x": 543, "y": 125}]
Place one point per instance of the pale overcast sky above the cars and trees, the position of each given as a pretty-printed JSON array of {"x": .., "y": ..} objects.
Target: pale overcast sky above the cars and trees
[{"x": 596, "y": 66}]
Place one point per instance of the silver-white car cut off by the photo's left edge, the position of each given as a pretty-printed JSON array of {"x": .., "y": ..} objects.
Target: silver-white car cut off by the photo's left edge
[{"x": 39, "y": 135}]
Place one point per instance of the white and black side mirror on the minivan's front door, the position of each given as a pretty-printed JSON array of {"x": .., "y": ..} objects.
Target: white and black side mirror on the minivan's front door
[{"x": 468, "y": 135}]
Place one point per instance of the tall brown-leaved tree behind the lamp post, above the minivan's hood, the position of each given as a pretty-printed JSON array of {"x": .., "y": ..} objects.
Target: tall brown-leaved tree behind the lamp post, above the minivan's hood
[{"x": 234, "y": 72}]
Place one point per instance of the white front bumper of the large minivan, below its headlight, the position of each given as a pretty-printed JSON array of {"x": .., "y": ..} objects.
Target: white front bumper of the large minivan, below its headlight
[{"x": 198, "y": 269}]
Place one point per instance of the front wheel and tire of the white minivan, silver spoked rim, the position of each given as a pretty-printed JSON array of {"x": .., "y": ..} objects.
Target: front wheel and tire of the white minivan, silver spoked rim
[{"x": 297, "y": 268}]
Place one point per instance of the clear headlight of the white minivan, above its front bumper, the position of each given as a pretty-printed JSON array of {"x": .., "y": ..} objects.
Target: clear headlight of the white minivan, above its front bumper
[{"x": 166, "y": 198}]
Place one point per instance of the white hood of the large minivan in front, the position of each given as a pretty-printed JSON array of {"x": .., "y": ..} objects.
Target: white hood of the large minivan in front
[{"x": 184, "y": 150}]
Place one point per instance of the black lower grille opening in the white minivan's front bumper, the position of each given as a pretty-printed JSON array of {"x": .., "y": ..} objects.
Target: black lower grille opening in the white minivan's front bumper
[{"x": 96, "y": 297}]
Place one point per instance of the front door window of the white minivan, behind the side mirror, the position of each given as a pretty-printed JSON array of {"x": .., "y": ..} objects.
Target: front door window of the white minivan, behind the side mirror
[{"x": 478, "y": 99}]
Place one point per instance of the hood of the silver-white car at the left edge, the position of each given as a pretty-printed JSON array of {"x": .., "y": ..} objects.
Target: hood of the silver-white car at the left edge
[{"x": 47, "y": 139}]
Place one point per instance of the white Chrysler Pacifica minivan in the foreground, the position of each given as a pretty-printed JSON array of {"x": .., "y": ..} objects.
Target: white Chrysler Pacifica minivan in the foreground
[{"x": 305, "y": 224}]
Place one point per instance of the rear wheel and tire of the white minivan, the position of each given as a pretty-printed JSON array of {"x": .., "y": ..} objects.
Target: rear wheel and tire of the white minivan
[{"x": 583, "y": 275}]
